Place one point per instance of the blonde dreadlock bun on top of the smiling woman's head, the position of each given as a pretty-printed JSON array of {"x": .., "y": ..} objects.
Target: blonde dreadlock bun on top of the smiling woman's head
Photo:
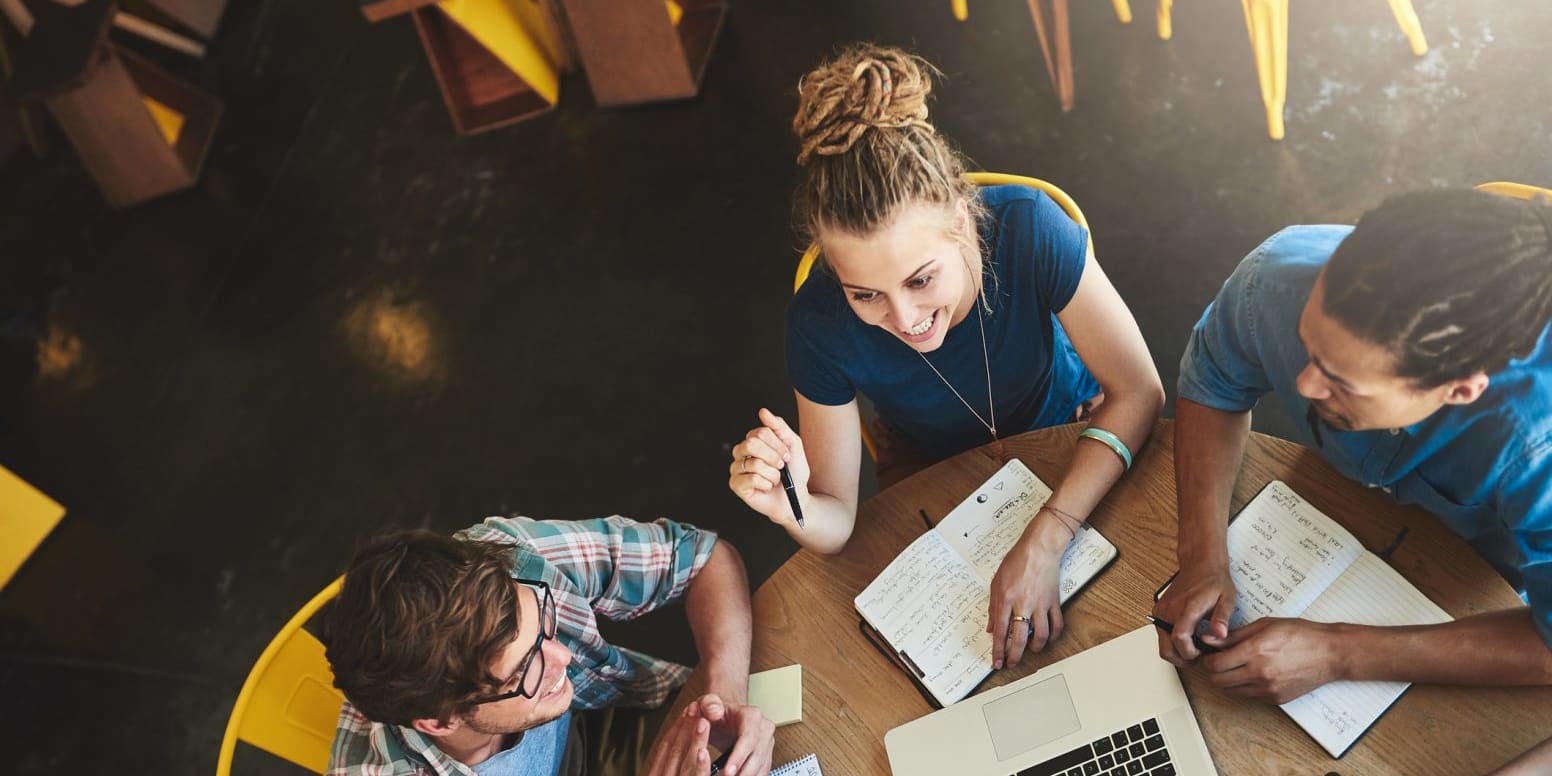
[{"x": 865, "y": 88}]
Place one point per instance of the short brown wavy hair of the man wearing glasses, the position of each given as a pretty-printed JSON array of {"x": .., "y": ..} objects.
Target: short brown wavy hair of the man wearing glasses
[{"x": 418, "y": 625}]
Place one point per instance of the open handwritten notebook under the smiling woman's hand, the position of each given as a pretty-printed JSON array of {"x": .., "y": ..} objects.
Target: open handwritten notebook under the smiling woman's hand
[{"x": 930, "y": 603}]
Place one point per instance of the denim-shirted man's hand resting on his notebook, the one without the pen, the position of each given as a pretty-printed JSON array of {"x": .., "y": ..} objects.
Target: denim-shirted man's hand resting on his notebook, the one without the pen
[{"x": 1277, "y": 659}]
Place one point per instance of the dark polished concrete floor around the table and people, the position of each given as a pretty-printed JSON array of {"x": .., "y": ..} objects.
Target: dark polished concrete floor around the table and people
[{"x": 364, "y": 320}]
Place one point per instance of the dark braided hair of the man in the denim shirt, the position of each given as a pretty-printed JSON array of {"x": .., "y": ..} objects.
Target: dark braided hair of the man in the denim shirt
[{"x": 1450, "y": 282}]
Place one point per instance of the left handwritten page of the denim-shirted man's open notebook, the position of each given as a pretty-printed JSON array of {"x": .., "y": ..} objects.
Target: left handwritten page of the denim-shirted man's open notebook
[{"x": 1283, "y": 555}]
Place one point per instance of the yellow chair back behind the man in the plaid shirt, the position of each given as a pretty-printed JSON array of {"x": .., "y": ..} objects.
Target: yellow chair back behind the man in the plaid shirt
[{"x": 288, "y": 707}]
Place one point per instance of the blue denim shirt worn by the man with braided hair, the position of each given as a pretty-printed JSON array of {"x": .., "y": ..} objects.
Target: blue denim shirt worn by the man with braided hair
[{"x": 1484, "y": 469}]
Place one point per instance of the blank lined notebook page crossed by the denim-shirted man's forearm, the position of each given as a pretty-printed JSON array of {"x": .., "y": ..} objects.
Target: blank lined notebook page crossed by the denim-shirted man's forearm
[{"x": 1368, "y": 594}]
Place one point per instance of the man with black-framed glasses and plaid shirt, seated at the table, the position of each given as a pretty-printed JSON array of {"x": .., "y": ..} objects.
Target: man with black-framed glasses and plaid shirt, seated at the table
[{"x": 480, "y": 654}]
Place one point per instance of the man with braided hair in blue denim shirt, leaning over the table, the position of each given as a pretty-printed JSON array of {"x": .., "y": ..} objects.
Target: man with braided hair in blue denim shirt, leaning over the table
[{"x": 1416, "y": 350}]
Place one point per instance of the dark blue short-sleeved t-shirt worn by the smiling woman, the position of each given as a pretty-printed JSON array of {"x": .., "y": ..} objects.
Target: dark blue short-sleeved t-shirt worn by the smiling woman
[{"x": 1038, "y": 257}]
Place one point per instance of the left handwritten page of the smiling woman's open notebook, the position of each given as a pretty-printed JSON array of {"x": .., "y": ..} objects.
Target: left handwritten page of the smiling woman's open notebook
[{"x": 932, "y": 606}]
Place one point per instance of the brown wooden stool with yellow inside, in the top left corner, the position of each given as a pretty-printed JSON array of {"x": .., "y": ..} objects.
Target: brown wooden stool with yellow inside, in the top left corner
[{"x": 139, "y": 131}]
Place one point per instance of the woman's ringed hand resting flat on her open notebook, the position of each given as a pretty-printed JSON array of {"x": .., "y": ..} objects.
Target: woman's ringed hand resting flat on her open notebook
[{"x": 1028, "y": 587}]
